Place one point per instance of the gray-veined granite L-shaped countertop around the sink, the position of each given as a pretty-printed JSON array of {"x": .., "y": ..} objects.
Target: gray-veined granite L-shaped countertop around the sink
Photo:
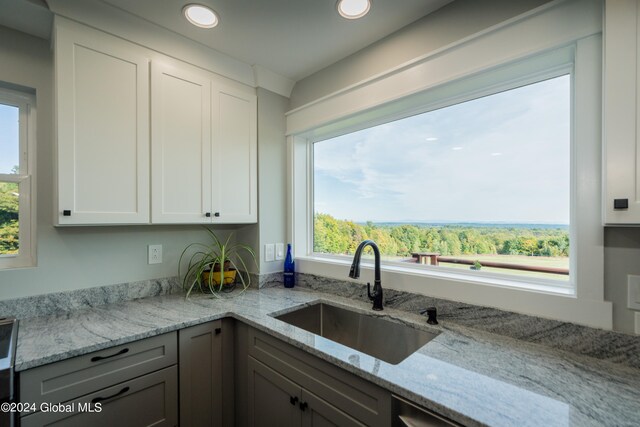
[{"x": 471, "y": 376}]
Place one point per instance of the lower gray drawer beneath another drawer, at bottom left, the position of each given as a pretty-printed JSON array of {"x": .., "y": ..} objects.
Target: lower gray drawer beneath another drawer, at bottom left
[{"x": 150, "y": 400}]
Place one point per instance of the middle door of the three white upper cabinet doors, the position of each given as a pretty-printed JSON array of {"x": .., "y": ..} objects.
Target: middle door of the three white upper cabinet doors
[{"x": 180, "y": 146}]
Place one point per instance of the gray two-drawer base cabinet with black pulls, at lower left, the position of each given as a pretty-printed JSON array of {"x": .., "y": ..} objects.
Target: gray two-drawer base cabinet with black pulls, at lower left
[{"x": 130, "y": 385}]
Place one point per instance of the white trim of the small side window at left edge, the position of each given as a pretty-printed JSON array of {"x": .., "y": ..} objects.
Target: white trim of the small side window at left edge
[{"x": 25, "y": 179}]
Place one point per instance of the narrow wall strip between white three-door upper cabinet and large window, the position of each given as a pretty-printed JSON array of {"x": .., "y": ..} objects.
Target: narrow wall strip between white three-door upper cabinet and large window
[{"x": 271, "y": 227}]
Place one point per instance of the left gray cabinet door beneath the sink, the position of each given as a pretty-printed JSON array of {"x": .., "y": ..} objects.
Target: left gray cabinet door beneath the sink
[{"x": 270, "y": 395}]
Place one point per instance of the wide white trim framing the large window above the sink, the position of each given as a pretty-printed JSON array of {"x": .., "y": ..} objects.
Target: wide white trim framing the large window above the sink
[{"x": 333, "y": 115}]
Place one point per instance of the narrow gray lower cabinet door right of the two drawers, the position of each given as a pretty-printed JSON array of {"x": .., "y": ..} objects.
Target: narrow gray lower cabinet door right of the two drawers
[{"x": 206, "y": 357}]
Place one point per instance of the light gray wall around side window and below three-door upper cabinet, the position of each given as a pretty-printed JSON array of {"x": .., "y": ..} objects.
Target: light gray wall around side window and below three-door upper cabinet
[{"x": 76, "y": 257}]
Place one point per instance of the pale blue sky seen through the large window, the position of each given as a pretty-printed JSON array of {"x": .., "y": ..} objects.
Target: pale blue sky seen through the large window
[{"x": 501, "y": 158}]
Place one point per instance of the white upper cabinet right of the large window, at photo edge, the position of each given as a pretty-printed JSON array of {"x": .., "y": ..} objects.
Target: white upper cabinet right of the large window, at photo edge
[{"x": 621, "y": 113}]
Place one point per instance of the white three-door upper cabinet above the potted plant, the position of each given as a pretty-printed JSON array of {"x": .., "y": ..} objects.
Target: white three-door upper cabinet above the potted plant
[{"x": 191, "y": 159}]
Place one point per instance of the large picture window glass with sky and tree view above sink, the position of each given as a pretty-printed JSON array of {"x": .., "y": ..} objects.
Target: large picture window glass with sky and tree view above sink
[{"x": 482, "y": 185}]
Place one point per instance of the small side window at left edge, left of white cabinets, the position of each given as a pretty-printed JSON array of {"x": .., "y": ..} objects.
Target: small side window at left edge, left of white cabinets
[{"x": 17, "y": 165}]
